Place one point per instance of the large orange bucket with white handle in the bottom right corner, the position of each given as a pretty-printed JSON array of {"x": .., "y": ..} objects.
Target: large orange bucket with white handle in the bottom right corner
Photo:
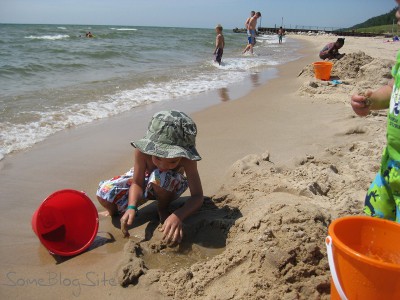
[{"x": 364, "y": 258}]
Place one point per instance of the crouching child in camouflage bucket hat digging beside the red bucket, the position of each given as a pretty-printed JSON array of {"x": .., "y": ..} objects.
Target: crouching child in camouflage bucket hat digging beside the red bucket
[{"x": 162, "y": 158}]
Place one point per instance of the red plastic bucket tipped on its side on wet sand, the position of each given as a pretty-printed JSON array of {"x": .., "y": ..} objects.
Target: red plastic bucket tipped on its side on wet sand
[{"x": 66, "y": 223}]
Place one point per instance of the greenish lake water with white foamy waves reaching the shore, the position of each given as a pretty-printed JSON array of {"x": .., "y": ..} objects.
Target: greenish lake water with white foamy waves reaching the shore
[{"x": 54, "y": 78}]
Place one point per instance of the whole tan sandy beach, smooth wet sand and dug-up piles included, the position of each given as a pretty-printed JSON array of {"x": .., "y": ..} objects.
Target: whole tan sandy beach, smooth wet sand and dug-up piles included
[{"x": 279, "y": 164}]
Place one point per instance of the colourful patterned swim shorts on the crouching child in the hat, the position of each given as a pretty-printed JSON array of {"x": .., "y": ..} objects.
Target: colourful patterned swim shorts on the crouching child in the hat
[{"x": 115, "y": 190}]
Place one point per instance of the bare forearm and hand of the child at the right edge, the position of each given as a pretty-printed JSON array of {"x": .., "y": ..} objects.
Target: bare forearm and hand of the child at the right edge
[{"x": 375, "y": 100}]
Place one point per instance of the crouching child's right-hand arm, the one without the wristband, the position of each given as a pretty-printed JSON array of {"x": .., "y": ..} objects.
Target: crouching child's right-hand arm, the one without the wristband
[{"x": 172, "y": 226}]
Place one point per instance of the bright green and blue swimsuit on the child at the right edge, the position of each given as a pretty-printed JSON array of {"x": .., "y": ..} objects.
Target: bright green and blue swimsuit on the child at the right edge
[{"x": 383, "y": 196}]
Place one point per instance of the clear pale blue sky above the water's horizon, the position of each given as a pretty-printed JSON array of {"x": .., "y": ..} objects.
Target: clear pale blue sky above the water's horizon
[{"x": 194, "y": 13}]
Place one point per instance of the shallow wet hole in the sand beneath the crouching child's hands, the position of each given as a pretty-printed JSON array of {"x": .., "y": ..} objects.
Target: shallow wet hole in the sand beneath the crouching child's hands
[{"x": 204, "y": 238}]
